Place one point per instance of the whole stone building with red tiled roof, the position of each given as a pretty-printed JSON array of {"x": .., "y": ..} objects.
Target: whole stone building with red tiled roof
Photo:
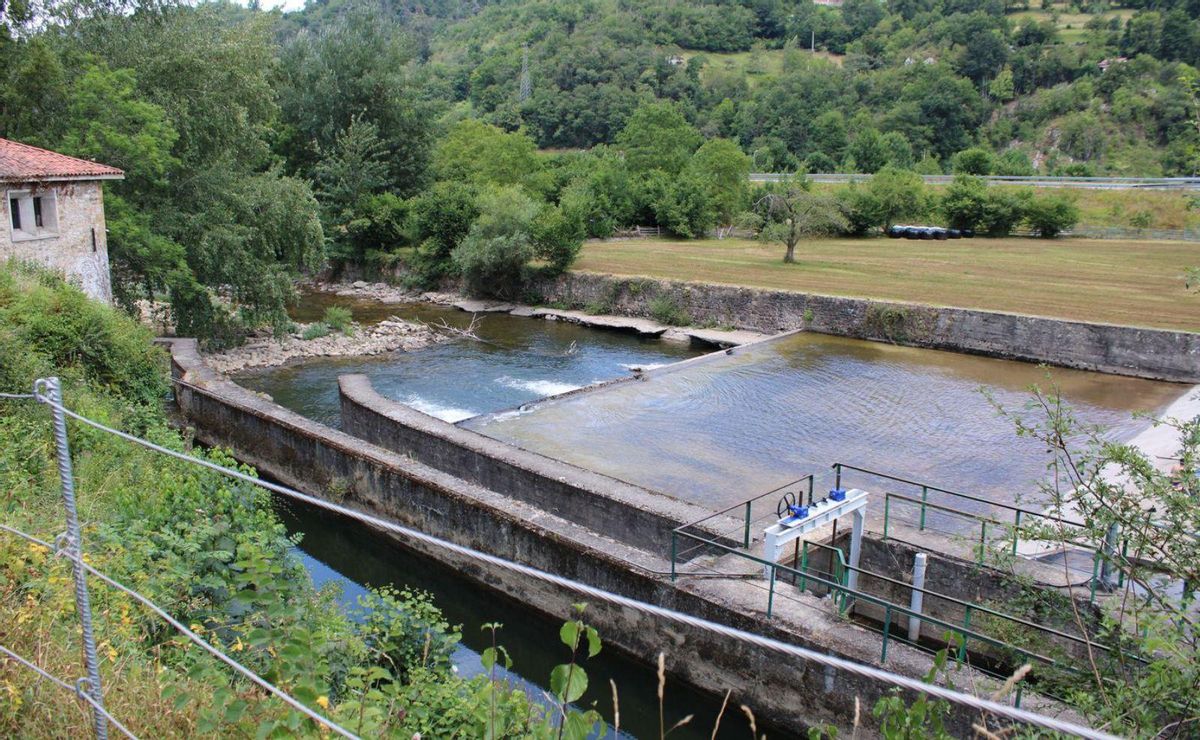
[{"x": 55, "y": 214}]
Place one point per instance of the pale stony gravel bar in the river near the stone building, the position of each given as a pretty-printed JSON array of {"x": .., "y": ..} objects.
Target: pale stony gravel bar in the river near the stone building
[{"x": 391, "y": 335}]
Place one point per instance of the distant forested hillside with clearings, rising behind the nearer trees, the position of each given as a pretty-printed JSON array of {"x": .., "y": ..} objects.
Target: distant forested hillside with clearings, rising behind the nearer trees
[{"x": 1071, "y": 89}]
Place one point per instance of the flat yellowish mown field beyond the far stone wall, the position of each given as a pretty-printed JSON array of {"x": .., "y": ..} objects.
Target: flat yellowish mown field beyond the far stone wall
[{"x": 1136, "y": 284}]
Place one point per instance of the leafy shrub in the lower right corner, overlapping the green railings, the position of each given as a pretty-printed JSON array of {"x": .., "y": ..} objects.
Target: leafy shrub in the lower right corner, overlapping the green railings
[{"x": 1145, "y": 688}]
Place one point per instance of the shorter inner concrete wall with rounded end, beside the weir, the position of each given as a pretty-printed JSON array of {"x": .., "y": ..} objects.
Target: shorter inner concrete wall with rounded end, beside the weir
[{"x": 626, "y": 513}]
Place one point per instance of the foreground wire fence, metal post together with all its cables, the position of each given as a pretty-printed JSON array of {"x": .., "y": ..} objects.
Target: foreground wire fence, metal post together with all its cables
[{"x": 89, "y": 690}]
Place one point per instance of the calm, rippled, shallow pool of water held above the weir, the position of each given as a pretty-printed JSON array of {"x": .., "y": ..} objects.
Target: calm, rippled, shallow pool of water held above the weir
[{"x": 727, "y": 430}]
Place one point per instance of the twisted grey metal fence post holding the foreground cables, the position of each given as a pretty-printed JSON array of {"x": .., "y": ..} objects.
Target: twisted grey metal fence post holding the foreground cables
[{"x": 52, "y": 389}]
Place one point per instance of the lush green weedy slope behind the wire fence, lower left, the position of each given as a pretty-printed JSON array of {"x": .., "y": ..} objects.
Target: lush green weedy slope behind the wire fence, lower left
[{"x": 212, "y": 552}]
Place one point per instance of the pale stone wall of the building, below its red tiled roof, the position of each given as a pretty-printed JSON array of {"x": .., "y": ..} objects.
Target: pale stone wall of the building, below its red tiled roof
[{"x": 80, "y": 248}]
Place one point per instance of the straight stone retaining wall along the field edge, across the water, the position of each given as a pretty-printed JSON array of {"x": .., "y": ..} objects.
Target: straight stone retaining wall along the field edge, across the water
[{"x": 1127, "y": 351}]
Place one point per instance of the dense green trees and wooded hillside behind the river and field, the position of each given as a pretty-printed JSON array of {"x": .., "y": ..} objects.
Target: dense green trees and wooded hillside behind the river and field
[{"x": 484, "y": 140}]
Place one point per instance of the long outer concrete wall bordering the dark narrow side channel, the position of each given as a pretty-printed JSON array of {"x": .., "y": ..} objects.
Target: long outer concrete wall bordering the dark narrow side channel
[{"x": 788, "y": 691}]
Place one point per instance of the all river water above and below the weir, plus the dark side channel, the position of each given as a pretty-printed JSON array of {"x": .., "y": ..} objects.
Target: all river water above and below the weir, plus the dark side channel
[{"x": 717, "y": 432}]
